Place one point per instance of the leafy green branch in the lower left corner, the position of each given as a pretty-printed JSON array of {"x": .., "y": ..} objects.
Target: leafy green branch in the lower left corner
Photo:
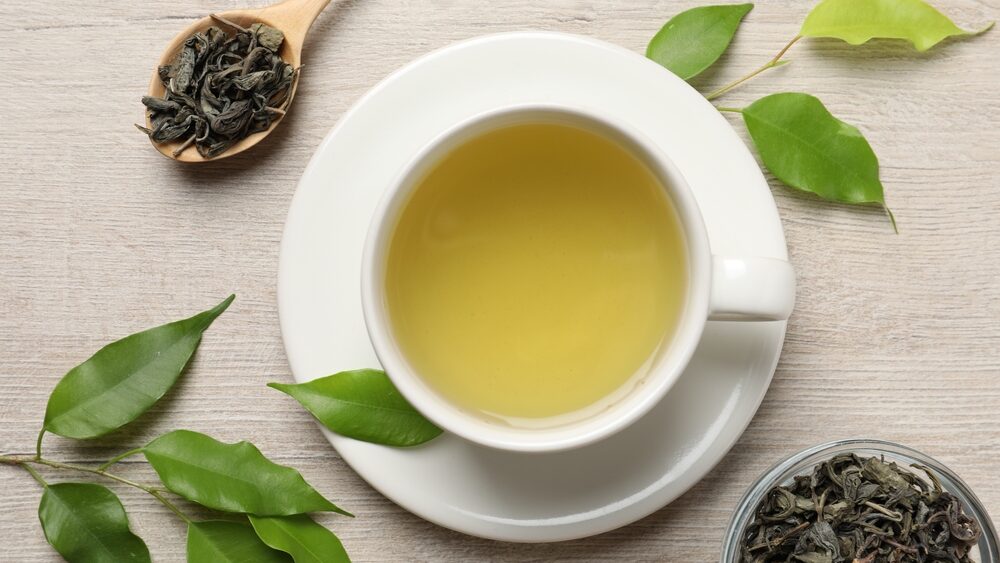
[{"x": 265, "y": 505}]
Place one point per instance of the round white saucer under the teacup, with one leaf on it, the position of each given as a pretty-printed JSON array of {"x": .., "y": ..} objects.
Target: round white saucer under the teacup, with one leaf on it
[{"x": 530, "y": 497}]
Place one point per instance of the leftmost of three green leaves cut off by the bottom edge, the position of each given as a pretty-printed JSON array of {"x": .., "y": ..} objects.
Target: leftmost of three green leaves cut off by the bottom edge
[{"x": 87, "y": 523}]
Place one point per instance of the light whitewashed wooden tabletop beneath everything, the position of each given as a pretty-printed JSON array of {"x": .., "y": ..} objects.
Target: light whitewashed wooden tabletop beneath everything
[{"x": 893, "y": 336}]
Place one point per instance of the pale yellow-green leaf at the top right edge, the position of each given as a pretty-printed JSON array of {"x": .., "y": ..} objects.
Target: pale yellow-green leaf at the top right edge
[{"x": 857, "y": 21}]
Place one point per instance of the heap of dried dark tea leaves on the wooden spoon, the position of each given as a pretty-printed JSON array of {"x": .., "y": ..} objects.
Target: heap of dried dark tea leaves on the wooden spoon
[{"x": 221, "y": 88}]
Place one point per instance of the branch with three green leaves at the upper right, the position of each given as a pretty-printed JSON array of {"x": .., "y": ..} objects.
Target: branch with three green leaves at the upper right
[{"x": 798, "y": 139}]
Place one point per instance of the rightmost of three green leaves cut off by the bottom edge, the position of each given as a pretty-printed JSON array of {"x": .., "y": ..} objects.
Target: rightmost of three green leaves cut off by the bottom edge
[{"x": 301, "y": 537}]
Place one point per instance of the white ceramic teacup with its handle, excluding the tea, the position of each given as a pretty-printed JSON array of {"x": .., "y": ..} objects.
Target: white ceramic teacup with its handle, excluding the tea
[{"x": 719, "y": 287}]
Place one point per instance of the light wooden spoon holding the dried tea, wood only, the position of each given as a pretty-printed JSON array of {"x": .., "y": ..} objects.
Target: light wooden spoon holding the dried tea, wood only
[{"x": 292, "y": 17}]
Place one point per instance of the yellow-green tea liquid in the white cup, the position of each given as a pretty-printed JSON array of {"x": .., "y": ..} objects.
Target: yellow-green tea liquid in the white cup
[{"x": 536, "y": 271}]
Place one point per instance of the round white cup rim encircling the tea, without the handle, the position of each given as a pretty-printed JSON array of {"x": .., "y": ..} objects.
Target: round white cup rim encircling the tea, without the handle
[{"x": 667, "y": 367}]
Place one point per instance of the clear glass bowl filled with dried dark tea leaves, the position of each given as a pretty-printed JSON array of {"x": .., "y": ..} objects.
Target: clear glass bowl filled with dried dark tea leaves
[{"x": 860, "y": 501}]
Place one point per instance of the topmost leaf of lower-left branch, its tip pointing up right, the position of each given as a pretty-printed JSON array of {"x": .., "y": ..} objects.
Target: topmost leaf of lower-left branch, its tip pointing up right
[{"x": 125, "y": 378}]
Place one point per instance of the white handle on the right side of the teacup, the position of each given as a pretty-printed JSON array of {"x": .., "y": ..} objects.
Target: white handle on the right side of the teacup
[{"x": 751, "y": 289}]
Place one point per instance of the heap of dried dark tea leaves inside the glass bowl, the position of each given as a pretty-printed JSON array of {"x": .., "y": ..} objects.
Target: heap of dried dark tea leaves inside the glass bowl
[{"x": 860, "y": 510}]
